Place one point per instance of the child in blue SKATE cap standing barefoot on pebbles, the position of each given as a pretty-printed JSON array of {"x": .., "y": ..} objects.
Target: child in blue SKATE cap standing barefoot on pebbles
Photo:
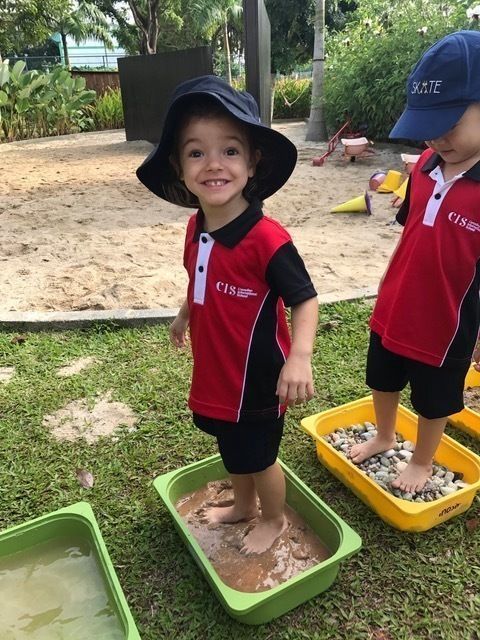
[{"x": 424, "y": 327}]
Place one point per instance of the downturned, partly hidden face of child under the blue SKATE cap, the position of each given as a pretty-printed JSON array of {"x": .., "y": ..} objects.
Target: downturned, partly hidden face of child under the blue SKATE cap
[{"x": 460, "y": 146}]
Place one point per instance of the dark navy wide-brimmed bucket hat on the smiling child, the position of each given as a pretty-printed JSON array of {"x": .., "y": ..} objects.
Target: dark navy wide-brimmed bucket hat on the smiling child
[{"x": 157, "y": 172}]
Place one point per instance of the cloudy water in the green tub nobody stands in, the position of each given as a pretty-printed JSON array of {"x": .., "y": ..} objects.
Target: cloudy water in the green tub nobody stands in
[{"x": 55, "y": 591}]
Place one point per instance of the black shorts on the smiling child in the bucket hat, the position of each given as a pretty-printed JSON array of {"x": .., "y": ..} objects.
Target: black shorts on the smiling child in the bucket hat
[{"x": 245, "y": 447}]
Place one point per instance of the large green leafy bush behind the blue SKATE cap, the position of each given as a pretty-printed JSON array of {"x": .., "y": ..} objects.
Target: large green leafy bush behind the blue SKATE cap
[{"x": 368, "y": 63}]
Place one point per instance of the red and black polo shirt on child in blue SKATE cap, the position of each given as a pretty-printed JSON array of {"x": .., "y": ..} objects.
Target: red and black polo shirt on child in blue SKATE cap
[{"x": 428, "y": 306}]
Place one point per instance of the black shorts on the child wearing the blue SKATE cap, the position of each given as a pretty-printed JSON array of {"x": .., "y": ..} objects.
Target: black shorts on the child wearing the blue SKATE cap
[{"x": 435, "y": 392}]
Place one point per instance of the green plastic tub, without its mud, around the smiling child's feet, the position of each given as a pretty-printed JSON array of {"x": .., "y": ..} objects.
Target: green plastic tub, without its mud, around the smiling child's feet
[{"x": 257, "y": 608}]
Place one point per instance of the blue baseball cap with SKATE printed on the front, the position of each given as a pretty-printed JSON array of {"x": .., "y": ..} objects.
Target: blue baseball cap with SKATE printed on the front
[{"x": 444, "y": 82}]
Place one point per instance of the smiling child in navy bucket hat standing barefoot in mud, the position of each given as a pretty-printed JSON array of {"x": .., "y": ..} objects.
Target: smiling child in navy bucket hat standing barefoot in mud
[{"x": 243, "y": 269}]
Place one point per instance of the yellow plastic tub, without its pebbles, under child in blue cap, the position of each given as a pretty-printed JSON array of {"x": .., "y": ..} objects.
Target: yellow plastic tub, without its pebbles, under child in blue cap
[{"x": 401, "y": 514}]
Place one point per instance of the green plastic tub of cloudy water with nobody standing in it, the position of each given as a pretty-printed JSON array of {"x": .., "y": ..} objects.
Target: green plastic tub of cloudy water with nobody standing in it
[{"x": 57, "y": 559}]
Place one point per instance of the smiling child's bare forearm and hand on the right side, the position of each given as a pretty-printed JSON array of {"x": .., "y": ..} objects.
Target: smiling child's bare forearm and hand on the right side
[{"x": 295, "y": 383}]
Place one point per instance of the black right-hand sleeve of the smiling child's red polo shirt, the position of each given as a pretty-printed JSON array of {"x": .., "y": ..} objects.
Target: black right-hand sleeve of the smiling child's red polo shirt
[{"x": 287, "y": 276}]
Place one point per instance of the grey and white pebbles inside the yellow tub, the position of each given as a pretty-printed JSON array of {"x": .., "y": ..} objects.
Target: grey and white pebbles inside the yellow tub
[{"x": 385, "y": 467}]
